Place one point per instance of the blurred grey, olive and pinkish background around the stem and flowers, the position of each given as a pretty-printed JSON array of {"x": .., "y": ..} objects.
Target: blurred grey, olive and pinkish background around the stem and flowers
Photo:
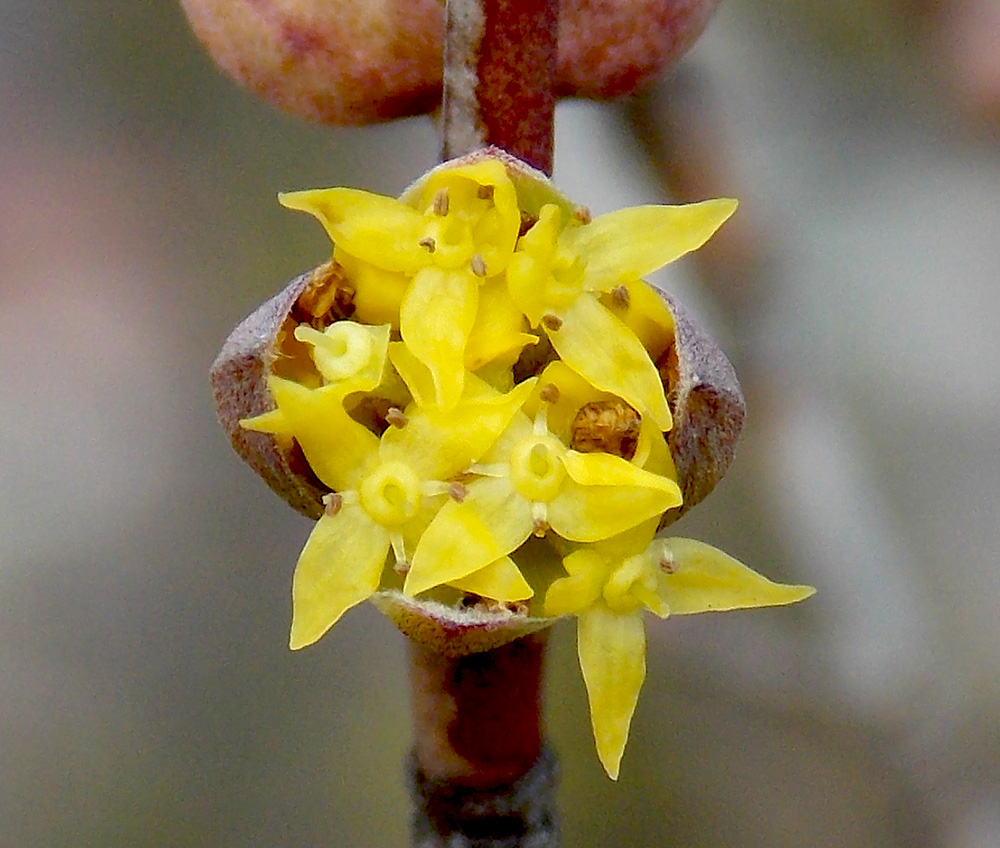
[{"x": 148, "y": 697}]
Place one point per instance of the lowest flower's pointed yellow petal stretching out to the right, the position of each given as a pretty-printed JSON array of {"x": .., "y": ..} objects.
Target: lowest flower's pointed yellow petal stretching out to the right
[{"x": 705, "y": 579}]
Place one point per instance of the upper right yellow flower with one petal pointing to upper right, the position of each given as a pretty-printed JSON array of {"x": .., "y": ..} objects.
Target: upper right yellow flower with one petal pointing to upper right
[{"x": 562, "y": 266}]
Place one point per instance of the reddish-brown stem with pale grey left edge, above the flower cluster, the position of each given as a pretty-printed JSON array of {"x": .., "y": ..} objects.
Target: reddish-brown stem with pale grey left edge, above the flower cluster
[{"x": 499, "y": 72}]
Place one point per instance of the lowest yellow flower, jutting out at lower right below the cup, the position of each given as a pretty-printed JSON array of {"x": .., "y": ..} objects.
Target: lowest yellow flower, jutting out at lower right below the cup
[{"x": 608, "y": 587}]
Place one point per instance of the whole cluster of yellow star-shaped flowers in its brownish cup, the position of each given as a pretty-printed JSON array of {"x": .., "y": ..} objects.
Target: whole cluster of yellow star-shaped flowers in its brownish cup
[{"x": 474, "y": 397}]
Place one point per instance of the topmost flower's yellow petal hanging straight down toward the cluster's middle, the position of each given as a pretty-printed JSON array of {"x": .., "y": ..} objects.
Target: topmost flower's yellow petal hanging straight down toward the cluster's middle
[{"x": 435, "y": 319}]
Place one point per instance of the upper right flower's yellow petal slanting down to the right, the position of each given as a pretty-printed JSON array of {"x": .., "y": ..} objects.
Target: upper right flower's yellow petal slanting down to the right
[{"x": 603, "y": 350}]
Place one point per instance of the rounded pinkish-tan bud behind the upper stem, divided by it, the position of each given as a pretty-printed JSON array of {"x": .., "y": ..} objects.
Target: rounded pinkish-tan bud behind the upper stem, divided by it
[{"x": 365, "y": 61}]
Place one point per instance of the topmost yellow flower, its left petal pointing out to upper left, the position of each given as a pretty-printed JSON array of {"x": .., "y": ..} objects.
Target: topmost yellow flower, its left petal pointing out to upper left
[{"x": 421, "y": 266}]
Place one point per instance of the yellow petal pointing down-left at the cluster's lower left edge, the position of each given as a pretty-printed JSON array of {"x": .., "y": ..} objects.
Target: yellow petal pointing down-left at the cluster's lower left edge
[{"x": 340, "y": 566}]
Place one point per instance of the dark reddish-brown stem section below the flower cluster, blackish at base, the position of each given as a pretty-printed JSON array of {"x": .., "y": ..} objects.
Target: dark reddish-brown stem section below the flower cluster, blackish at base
[{"x": 480, "y": 776}]
